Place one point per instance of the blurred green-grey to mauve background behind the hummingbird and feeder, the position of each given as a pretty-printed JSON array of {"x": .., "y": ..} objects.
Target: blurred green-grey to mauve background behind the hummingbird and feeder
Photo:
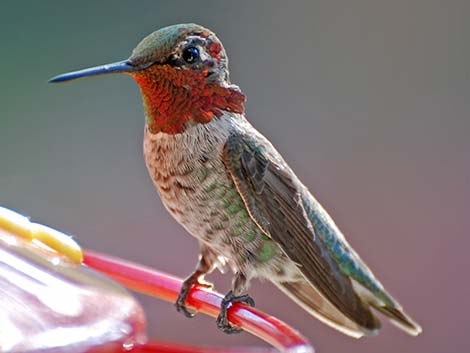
[{"x": 368, "y": 101}]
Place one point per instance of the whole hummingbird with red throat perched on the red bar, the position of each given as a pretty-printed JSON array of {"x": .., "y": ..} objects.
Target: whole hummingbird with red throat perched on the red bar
[{"x": 226, "y": 184}]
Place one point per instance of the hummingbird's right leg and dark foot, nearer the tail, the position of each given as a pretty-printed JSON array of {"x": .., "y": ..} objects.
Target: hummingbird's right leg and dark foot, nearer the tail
[{"x": 239, "y": 284}]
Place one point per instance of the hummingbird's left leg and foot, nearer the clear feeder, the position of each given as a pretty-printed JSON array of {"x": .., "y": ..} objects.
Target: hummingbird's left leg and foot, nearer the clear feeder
[{"x": 206, "y": 264}]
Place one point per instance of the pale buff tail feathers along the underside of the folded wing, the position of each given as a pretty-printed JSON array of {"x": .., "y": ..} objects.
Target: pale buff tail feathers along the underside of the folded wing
[{"x": 305, "y": 295}]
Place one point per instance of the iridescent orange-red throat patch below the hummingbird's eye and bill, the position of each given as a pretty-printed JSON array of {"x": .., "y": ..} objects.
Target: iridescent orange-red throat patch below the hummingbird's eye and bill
[{"x": 173, "y": 97}]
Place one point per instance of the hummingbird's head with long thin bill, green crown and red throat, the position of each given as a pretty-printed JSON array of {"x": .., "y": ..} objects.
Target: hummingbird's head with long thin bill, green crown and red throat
[{"x": 182, "y": 72}]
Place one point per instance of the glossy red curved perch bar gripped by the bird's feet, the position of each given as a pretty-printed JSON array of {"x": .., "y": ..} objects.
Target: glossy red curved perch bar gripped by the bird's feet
[{"x": 151, "y": 282}]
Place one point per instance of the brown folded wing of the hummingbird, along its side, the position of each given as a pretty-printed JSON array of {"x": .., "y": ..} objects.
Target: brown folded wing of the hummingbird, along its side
[{"x": 274, "y": 199}]
